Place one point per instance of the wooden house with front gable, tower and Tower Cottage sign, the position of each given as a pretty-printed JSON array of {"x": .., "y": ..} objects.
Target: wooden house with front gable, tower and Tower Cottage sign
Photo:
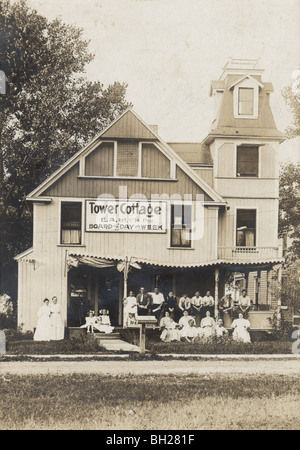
[{"x": 131, "y": 210}]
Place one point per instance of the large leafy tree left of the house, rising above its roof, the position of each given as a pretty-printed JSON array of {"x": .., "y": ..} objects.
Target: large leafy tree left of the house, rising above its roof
[{"x": 49, "y": 112}]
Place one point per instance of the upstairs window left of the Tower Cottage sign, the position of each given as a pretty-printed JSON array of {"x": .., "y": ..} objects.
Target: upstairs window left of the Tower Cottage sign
[{"x": 71, "y": 223}]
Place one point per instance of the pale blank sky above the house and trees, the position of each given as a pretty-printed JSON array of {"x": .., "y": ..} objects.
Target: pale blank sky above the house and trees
[{"x": 168, "y": 51}]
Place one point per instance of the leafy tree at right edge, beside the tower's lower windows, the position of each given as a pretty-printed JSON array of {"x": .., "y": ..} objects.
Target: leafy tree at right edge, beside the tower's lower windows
[{"x": 289, "y": 206}]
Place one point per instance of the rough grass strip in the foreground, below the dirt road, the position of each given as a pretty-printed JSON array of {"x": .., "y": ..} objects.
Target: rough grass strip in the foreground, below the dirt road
[{"x": 150, "y": 402}]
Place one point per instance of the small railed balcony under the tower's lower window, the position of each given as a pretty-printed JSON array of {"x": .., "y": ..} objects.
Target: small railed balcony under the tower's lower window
[{"x": 249, "y": 254}]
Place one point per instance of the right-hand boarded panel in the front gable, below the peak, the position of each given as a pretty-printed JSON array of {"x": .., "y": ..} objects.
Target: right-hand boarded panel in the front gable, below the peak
[{"x": 154, "y": 163}]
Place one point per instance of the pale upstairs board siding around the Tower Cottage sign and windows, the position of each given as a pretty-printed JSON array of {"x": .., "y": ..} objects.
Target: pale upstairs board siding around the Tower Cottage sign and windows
[{"x": 146, "y": 246}]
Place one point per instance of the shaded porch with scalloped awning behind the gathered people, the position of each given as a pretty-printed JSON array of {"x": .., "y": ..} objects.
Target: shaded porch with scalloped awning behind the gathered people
[{"x": 95, "y": 281}]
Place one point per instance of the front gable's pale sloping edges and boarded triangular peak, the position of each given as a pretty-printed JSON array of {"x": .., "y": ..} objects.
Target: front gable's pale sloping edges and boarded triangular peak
[{"x": 144, "y": 132}]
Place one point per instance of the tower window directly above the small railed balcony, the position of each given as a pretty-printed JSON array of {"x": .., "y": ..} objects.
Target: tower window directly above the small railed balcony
[{"x": 246, "y": 228}]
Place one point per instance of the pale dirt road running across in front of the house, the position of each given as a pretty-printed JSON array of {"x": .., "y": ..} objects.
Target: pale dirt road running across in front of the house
[{"x": 282, "y": 367}]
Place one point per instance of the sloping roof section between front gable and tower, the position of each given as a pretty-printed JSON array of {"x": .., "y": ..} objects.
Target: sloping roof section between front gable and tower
[{"x": 193, "y": 152}]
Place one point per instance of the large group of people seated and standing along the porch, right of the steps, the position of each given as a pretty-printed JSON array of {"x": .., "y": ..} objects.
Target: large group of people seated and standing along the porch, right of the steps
[{"x": 189, "y": 318}]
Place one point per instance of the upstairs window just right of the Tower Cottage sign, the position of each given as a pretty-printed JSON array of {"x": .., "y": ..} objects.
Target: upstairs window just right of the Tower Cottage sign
[{"x": 181, "y": 225}]
